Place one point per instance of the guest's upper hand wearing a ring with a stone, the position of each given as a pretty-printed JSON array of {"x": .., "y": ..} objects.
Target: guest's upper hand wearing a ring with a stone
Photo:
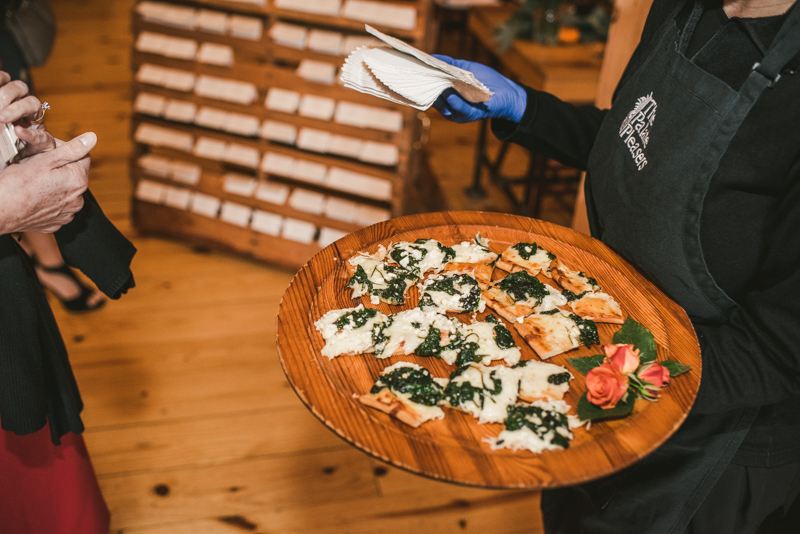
[{"x": 20, "y": 108}]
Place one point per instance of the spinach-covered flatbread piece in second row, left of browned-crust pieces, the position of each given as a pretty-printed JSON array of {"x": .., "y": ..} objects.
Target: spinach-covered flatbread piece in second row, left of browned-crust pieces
[{"x": 451, "y": 292}]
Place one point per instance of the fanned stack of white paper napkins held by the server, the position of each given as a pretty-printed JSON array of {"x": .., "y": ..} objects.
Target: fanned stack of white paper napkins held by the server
[{"x": 408, "y": 76}]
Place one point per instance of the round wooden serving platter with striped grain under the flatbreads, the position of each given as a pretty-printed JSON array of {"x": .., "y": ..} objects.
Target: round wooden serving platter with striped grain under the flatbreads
[{"x": 453, "y": 448}]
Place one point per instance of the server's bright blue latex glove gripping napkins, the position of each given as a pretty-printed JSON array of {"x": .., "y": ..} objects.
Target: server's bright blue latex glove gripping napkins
[{"x": 508, "y": 102}]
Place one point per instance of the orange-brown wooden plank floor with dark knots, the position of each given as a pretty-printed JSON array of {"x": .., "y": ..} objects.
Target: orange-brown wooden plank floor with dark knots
[{"x": 191, "y": 423}]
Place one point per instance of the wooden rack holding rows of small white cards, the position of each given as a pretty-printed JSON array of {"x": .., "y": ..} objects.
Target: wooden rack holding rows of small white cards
[{"x": 246, "y": 141}]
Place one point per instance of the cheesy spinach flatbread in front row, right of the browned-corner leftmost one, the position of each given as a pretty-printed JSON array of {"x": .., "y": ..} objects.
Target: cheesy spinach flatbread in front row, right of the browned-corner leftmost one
[{"x": 481, "y": 391}]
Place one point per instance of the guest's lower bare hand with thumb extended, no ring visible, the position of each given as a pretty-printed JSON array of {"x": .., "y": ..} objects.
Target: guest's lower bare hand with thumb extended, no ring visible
[{"x": 43, "y": 192}]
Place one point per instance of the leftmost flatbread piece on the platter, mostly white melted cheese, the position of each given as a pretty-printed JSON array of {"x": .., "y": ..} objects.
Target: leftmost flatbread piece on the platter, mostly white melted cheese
[{"x": 350, "y": 331}]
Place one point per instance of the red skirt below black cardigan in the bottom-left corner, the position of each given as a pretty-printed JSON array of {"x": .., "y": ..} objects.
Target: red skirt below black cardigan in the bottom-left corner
[{"x": 49, "y": 489}]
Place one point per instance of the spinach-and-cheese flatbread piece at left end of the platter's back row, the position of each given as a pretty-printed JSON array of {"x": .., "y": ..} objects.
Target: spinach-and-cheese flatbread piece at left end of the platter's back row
[{"x": 371, "y": 275}]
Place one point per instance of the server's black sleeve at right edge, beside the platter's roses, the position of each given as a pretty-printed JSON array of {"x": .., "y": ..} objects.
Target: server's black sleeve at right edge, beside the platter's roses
[{"x": 753, "y": 359}]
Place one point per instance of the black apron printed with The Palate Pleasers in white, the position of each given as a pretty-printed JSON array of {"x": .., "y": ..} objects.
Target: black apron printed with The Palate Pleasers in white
[{"x": 648, "y": 173}]
